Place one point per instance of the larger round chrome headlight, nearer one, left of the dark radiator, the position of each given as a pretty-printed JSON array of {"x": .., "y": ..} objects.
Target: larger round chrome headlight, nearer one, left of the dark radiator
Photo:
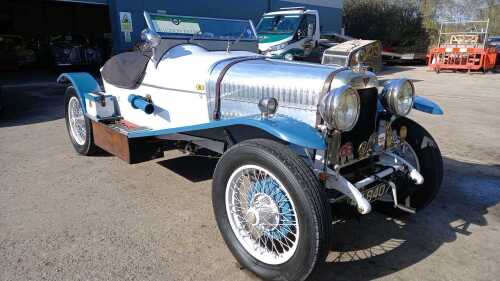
[{"x": 340, "y": 108}]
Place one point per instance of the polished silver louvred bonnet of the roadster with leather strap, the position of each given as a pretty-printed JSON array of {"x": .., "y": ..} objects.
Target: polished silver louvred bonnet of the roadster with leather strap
[{"x": 297, "y": 86}]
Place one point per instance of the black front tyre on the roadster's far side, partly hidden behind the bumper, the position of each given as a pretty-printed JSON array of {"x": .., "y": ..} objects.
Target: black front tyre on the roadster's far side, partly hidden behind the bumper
[{"x": 430, "y": 164}]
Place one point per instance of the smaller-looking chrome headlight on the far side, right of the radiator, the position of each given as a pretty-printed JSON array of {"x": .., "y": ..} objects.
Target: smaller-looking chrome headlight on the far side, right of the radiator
[{"x": 398, "y": 96}]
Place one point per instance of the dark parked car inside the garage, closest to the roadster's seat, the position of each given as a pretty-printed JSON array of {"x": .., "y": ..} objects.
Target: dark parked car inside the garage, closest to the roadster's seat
[{"x": 74, "y": 50}]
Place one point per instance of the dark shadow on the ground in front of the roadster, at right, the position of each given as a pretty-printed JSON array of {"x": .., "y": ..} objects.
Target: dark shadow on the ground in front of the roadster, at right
[{"x": 377, "y": 245}]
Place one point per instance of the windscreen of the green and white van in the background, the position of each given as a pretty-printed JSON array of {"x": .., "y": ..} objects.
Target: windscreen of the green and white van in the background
[{"x": 278, "y": 24}]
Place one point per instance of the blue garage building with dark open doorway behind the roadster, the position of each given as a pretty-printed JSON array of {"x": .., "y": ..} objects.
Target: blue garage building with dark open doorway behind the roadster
[{"x": 100, "y": 19}]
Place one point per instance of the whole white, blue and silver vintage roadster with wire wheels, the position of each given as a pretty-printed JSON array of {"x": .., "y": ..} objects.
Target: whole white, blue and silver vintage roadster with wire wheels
[{"x": 293, "y": 138}]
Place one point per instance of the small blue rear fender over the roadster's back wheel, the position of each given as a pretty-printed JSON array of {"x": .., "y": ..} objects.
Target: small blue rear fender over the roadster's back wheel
[{"x": 83, "y": 82}]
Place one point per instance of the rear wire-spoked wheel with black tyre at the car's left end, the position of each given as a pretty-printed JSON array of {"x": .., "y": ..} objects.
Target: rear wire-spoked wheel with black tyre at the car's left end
[{"x": 78, "y": 125}]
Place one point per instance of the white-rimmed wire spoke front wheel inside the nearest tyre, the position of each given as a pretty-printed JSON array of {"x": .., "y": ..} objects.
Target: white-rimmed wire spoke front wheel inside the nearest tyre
[{"x": 262, "y": 214}]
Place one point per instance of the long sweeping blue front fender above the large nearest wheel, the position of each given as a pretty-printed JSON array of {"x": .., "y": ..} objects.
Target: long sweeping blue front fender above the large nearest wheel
[{"x": 282, "y": 127}]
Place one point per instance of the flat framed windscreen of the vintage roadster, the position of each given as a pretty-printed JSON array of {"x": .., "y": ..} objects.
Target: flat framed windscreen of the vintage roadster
[{"x": 201, "y": 28}]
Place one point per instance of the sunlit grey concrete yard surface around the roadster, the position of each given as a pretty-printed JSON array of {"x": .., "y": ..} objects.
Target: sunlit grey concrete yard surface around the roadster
[{"x": 68, "y": 217}]
